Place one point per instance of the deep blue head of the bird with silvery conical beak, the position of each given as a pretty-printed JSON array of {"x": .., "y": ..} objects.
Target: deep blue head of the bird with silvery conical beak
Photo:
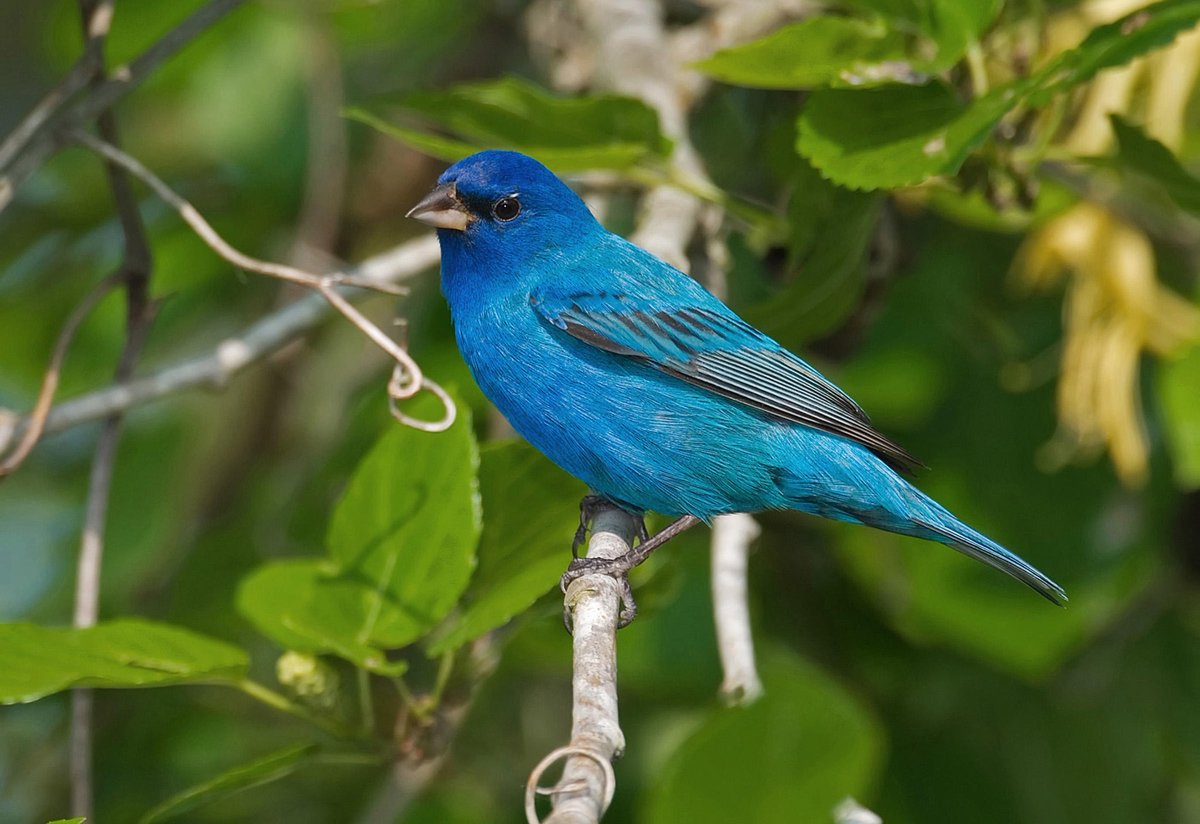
[{"x": 502, "y": 203}]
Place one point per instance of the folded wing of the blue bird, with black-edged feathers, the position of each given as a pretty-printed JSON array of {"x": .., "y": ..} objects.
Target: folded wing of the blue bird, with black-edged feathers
[{"x": 710, "y": 347}]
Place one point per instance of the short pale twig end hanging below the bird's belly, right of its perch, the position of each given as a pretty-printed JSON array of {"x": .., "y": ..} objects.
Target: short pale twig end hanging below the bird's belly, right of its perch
[{"x": 733, "y": 536}]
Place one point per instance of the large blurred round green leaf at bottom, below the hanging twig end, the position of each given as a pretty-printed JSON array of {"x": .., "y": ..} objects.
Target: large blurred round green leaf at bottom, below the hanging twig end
[{"x": 789, "y": 757}]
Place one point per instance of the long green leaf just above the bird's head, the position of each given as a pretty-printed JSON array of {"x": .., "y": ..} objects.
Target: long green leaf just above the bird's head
[{"x": 567, "y": 134}]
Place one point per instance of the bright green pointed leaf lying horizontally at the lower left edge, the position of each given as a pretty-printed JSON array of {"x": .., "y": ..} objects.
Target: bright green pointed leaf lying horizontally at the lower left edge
[{"x": 37, "y": 661}]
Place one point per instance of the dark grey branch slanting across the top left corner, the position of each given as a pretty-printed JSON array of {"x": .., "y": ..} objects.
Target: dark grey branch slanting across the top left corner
[{"x": 37, "y": 143}]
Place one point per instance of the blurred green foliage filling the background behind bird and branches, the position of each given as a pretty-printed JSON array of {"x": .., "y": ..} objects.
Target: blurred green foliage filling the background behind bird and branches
[{"x": 351, "y": 579}]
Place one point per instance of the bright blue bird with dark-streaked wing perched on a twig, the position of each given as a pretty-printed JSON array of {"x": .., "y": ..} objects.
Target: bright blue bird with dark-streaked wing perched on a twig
[{"x": 634, "y": 378}]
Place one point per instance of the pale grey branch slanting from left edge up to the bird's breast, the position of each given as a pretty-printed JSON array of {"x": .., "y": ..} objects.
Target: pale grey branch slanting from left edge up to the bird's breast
[{"x": 233, "y": 354}]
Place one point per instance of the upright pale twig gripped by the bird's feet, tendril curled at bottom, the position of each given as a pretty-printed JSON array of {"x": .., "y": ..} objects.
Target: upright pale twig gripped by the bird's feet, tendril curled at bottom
[{"x": 587, "y": 785}]
